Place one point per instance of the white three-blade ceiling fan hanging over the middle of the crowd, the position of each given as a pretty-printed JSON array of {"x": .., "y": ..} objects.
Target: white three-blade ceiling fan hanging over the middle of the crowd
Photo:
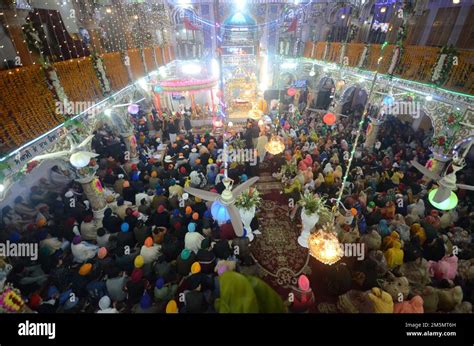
[{"x": 227, "y": 199}]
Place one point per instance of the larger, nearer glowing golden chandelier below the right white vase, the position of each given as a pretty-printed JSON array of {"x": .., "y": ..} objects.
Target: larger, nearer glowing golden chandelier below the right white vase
[{"x": 325, "y": 247}]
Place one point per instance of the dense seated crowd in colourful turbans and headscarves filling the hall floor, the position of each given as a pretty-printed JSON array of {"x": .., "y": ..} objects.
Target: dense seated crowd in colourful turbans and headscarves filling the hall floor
[{"x": 155, "y": 251}]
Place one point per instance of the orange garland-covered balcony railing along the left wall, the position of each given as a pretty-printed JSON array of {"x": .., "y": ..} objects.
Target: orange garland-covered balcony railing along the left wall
[{"x": 27, "y": 105}]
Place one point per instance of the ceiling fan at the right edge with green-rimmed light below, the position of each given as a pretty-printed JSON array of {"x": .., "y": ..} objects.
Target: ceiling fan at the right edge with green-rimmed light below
[{"x": 447, "y": 182}]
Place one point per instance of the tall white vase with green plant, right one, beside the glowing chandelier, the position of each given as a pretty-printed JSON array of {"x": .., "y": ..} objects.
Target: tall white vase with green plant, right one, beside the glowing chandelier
[{"x": 312, "y": 204}]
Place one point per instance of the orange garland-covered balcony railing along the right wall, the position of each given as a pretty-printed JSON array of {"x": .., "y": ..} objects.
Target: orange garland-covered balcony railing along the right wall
[{"x": 416, "y": 62}]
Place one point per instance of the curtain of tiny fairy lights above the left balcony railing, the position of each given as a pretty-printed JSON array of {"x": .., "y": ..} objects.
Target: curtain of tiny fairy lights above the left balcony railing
[{"x": 53, "y": 25}]
